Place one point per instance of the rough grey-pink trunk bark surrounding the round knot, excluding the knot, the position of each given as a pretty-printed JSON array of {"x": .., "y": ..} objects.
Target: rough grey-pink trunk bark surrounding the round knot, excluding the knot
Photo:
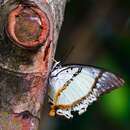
[{"x": 24, "y": 72}]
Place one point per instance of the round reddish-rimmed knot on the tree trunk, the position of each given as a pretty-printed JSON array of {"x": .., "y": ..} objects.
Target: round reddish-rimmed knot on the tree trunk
[{"x": 27, "y": 26}]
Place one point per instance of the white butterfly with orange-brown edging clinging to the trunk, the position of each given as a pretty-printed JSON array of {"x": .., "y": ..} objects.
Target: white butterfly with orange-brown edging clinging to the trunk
[{"x": 74, "y": 87}]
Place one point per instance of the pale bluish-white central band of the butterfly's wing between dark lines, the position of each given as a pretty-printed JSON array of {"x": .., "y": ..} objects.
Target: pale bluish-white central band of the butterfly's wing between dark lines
[{"x": 76, "y": 88}]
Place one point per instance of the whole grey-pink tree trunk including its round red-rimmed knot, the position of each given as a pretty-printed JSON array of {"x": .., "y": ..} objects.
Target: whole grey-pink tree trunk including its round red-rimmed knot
[{"x": 26, "y": 60}]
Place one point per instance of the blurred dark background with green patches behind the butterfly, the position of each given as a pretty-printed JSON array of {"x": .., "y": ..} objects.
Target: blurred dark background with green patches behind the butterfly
[{"x": 97, "y": 32}]
